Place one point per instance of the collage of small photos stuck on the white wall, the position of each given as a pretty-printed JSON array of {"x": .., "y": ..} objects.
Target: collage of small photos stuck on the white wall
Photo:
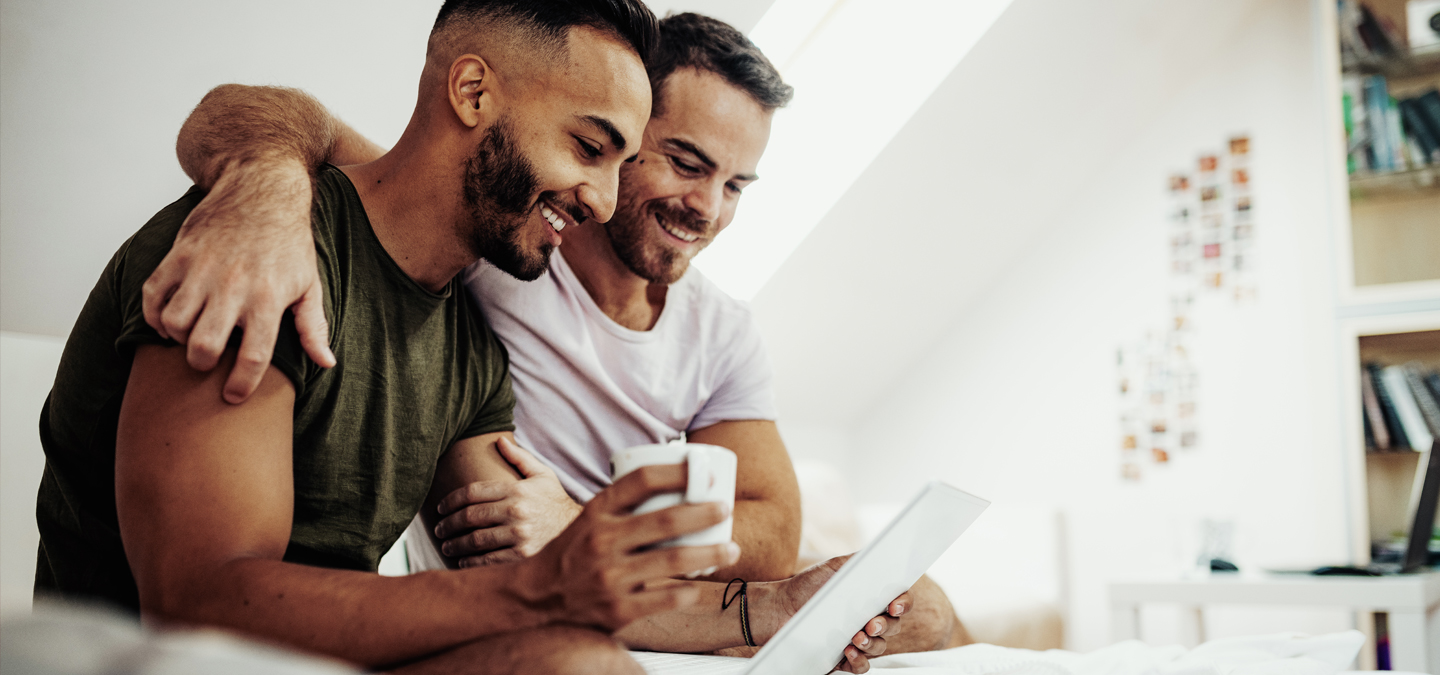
[{"x": 1212, "y": 231}]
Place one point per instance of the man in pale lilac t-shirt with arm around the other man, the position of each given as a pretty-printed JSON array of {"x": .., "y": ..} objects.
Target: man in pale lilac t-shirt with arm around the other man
[{"x": 621, "y": 345}]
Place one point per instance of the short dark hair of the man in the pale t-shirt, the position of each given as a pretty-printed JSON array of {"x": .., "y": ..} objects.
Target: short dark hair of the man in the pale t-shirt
[{"x": 695, "y": 41}]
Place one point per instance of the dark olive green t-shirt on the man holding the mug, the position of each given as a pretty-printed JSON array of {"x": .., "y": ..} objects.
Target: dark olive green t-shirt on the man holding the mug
[{"x": 417, "y": 372}]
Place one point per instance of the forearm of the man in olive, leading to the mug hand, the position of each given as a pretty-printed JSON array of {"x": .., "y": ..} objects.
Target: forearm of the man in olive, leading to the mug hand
[{"x": 356, "y": 617}]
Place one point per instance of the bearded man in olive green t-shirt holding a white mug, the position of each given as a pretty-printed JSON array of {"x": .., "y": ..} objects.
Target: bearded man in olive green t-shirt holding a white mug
[{"x": 269, "y": 517}]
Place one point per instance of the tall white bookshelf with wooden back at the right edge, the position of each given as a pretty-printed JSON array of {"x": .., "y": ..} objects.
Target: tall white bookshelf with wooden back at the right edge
[{"x": 1387, "y": 255}]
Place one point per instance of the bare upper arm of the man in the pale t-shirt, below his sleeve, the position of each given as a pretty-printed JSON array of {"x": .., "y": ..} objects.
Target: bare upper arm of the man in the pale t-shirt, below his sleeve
[{"x": 764, "y": 467}]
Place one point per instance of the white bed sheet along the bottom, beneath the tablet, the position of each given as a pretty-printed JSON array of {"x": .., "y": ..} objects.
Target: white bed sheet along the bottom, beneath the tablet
[{"x": 1284, "y": 654}]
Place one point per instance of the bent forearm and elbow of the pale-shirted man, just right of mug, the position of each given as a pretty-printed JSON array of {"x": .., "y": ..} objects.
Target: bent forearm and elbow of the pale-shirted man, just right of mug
[{"x": 770, "y": 539}]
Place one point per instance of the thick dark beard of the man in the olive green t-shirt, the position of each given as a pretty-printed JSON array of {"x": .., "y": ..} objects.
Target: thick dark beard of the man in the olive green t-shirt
[{"x": 499, "y": 186}]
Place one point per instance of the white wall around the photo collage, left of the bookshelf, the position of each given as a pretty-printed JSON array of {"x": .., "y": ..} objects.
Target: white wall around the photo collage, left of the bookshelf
[{"x": 1017, "y": 401}]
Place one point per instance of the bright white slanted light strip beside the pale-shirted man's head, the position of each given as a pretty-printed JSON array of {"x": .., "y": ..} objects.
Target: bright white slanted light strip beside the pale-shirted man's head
[{"x": 860, "y": 70}]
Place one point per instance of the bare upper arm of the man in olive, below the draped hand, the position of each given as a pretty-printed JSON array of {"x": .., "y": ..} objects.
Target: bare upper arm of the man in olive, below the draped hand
[{"x": 199, "y": 483}]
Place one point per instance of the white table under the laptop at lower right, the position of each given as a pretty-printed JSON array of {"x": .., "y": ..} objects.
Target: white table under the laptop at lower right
[{"x": 1412, "y": 601}]
